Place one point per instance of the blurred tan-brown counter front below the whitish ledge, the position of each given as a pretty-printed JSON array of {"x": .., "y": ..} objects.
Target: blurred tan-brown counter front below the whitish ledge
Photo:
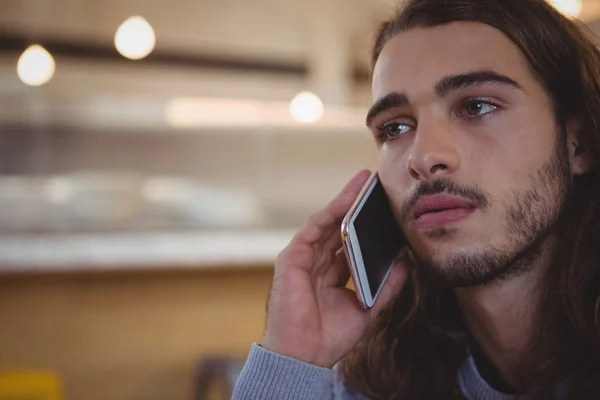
[{"x": 129, "y": 336}]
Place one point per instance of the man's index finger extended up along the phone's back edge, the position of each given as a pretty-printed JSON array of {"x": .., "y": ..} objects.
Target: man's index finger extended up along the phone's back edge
[{"x": 321, "y": 223}]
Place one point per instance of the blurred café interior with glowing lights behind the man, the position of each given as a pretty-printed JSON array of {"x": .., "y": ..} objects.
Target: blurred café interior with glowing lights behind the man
[{"x": 154, "y": 158}]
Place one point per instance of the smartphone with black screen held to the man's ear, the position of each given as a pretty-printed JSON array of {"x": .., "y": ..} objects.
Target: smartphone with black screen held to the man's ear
[{"x": 372, "y": 241}]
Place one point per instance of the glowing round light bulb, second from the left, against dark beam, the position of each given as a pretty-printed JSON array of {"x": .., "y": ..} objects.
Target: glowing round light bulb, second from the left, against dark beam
[{"x": 135, "y": 38}]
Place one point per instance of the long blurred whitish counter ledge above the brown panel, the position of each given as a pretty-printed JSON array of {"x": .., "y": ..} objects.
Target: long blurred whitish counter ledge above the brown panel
[{"x": 115, "y": 252}]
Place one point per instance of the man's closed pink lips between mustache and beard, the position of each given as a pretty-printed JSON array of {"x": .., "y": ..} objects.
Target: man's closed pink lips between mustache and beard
[{"x": 439, "y": 210}]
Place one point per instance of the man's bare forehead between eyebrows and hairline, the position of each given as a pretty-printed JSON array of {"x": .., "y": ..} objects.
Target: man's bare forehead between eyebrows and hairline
[{"x": 415, "y": 60}]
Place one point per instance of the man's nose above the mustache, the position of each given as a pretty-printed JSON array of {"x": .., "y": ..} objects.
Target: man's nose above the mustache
[{"x": 434, "y": 153}]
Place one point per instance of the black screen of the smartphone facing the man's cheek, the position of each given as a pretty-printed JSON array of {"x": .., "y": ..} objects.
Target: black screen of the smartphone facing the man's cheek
[{"x": 379, "y": 236}]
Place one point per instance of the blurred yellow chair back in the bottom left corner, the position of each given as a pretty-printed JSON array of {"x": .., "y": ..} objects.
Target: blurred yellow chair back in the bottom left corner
[{"x": 30, "y": 386}]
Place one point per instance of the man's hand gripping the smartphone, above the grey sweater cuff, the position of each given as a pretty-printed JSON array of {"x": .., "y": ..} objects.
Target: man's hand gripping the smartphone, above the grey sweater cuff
[{"x": 312, "y": 316}]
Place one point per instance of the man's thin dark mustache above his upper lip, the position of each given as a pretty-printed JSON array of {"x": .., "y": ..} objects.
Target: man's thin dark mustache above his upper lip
[{"x": 474, "y": 194}]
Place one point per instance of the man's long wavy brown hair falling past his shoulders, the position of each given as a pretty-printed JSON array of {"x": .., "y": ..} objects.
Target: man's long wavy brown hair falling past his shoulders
[{"x": 416, "y": 345}]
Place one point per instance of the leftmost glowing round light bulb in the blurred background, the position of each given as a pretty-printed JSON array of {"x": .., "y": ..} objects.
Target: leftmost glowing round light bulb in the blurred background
[{"x": 35, "y": 66}]
